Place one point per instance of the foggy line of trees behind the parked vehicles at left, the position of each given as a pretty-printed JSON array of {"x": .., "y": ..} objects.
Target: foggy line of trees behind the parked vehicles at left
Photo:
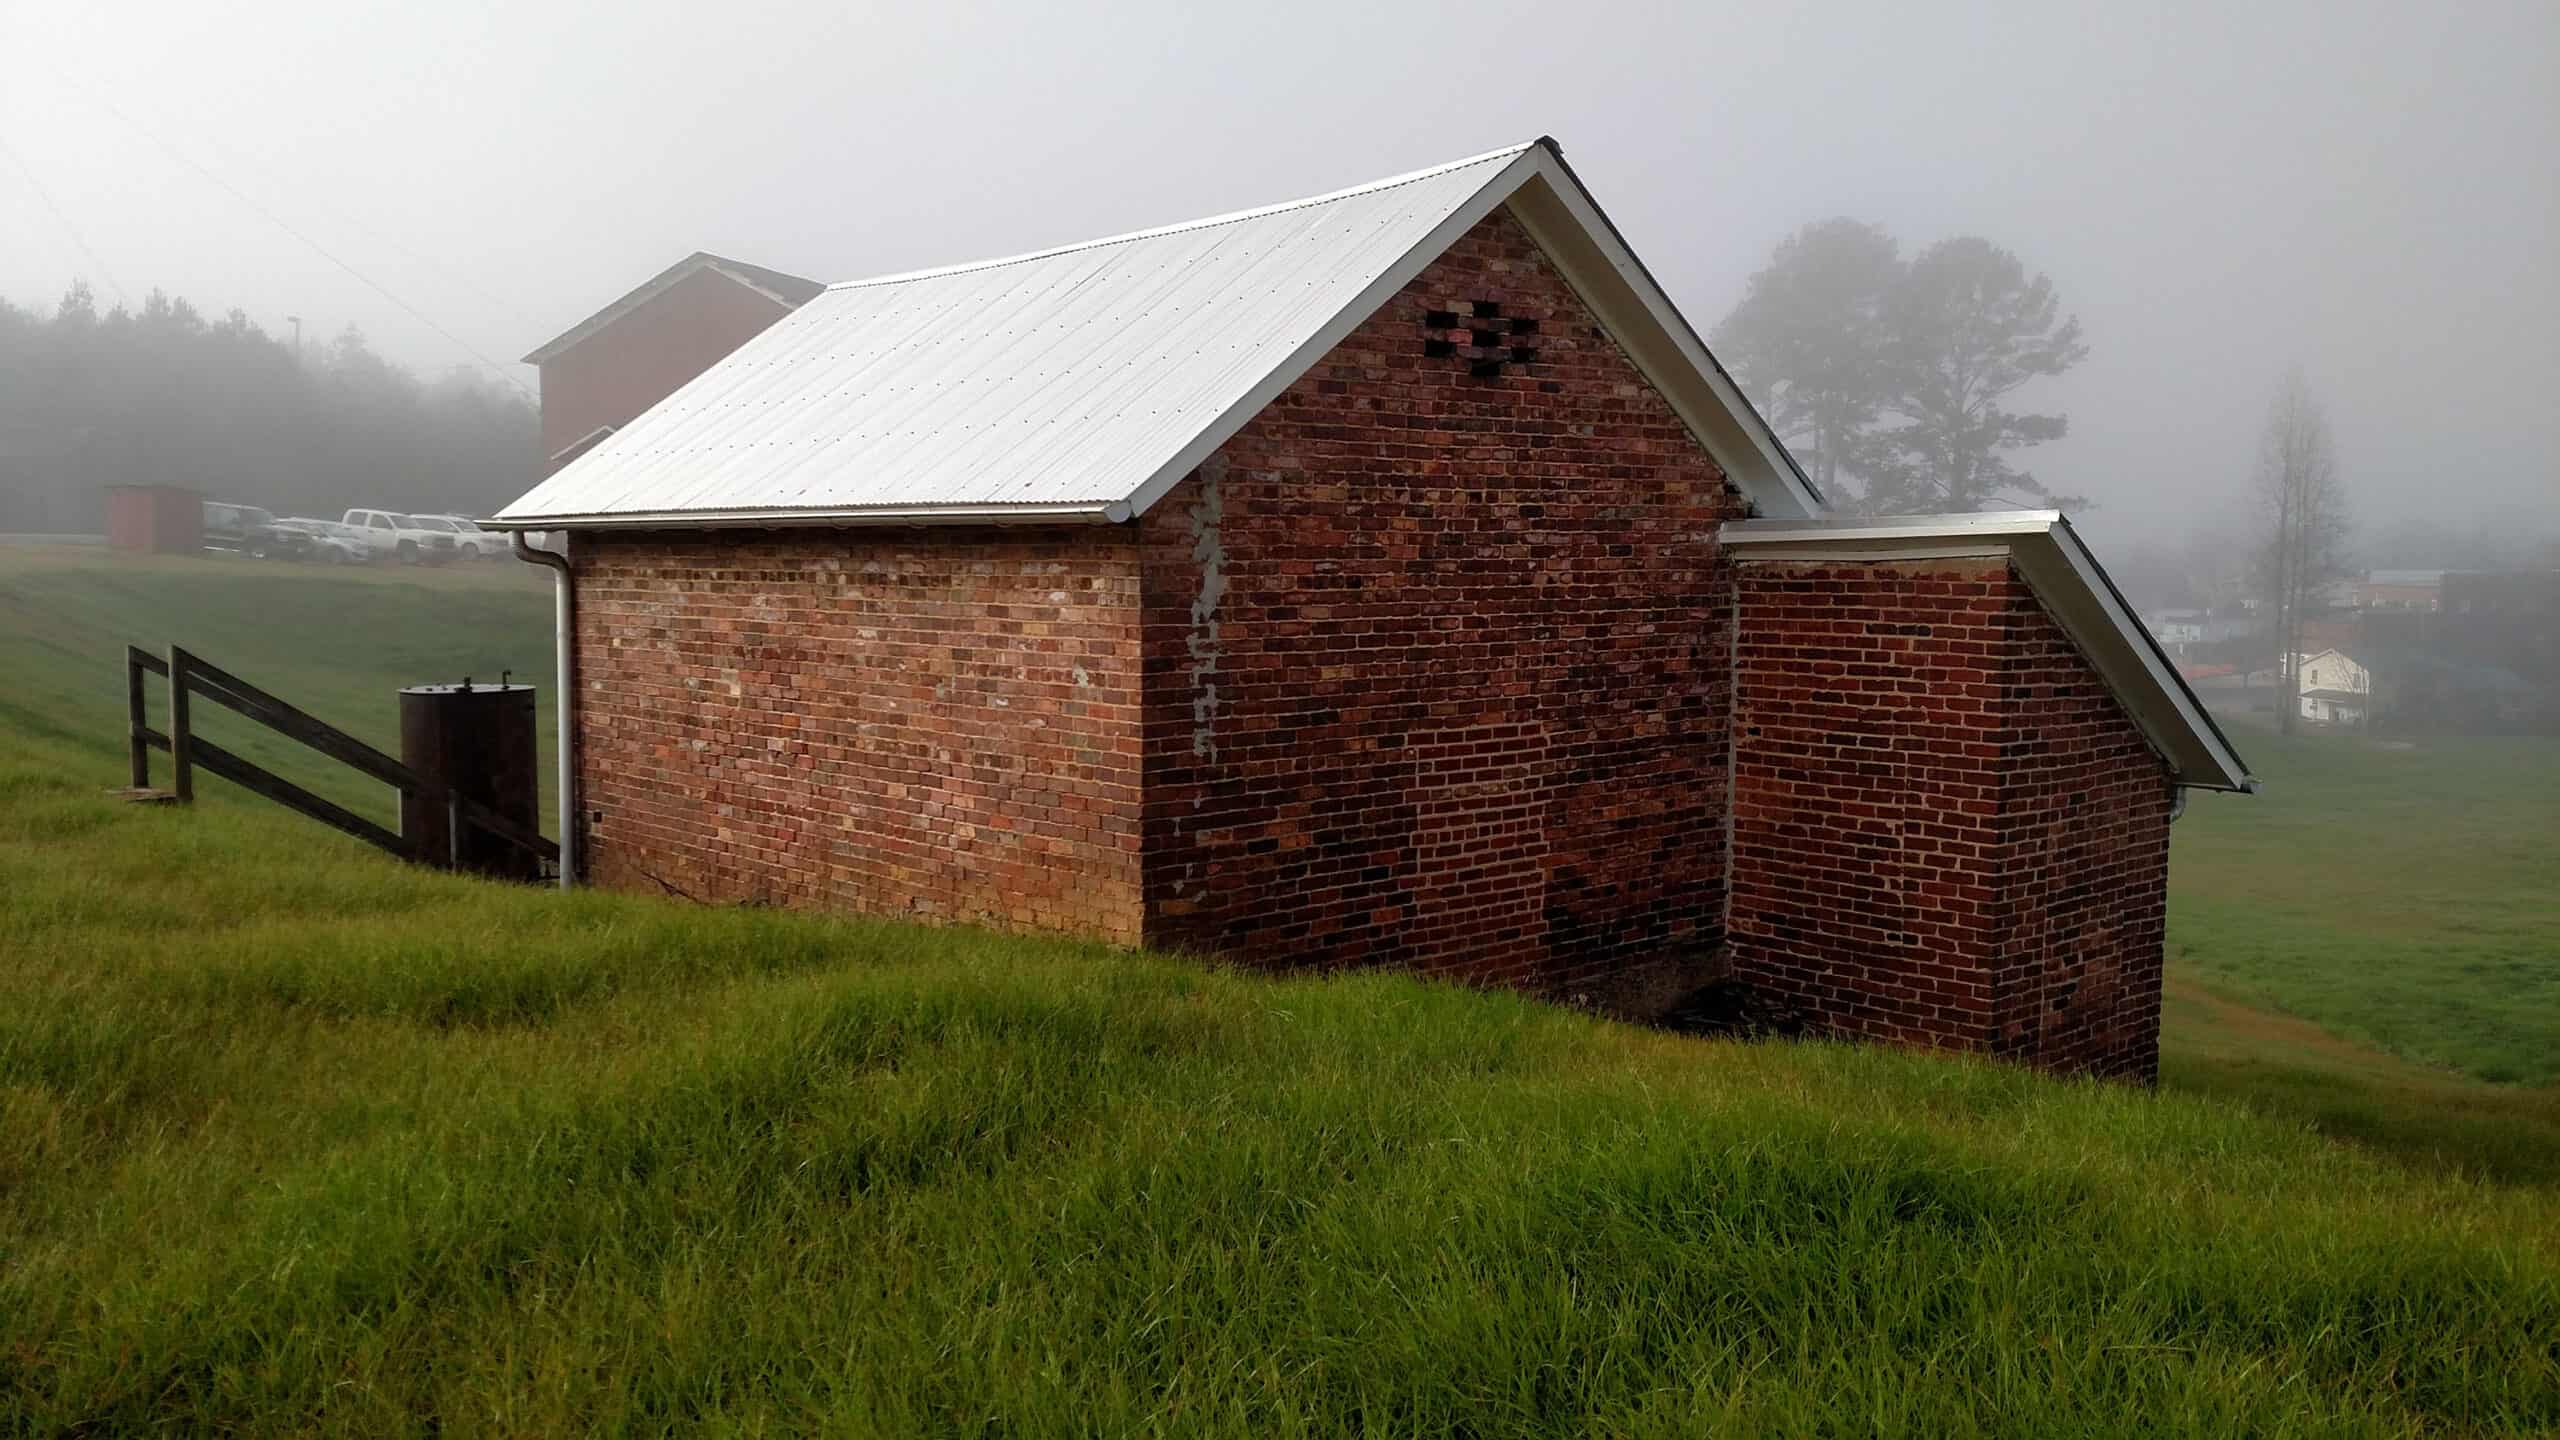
[{"x": 163, "y": 396}]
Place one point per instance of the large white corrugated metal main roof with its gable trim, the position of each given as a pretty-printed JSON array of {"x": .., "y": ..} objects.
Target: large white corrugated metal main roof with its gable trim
[{"x": 1087, "y": 380}]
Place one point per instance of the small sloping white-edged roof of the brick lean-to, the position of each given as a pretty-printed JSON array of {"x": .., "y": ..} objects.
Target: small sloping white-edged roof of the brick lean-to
[{"x": 2072, "y": 588}]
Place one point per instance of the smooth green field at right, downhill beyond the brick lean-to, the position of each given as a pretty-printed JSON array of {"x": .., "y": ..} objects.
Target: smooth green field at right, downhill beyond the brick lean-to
[{"x": 2400, "y": 896}]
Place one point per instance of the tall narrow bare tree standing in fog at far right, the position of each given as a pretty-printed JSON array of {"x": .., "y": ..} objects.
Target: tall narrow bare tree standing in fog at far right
[{"x": 2308, "y": 524}]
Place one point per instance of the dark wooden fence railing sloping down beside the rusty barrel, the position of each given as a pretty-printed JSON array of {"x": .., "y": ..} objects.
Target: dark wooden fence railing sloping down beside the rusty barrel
[{"x": 198, "y": 678}]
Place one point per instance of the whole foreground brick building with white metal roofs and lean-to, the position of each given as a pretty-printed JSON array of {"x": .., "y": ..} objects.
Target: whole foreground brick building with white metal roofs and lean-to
[{"x": 1386, "y": 578}]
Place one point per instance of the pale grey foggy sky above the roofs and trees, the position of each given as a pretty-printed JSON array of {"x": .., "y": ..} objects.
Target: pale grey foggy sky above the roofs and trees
[{"x": 2218, "y": 191}]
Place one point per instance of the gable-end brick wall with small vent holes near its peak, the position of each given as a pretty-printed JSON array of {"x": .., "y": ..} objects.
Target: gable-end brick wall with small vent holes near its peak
[{"x": 1437, "y": 662}]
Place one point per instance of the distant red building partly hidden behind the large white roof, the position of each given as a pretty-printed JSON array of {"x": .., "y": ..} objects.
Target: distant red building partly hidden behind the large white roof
[{"x": 613, "y": 365}]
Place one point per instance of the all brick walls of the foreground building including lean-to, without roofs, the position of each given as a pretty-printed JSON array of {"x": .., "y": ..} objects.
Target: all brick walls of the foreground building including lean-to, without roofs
[{"x": 1432, "y": 665}]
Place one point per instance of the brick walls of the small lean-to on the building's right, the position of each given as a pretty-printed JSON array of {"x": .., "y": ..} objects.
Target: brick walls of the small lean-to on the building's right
[{"x": 1944, "y": 829}]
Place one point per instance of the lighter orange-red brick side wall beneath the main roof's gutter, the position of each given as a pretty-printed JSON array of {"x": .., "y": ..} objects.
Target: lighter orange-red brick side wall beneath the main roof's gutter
[{"x": 925, "y": 724}]
